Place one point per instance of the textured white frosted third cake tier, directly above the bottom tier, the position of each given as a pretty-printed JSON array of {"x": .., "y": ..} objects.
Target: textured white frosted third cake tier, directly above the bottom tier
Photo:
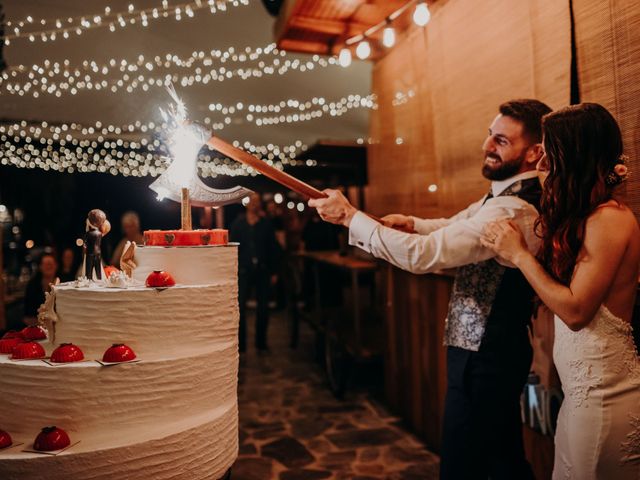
[{"x": 87, "y": 399}]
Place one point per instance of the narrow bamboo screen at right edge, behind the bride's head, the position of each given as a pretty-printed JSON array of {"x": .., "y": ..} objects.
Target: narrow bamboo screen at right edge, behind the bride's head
[{"x": 608, "y": 54}]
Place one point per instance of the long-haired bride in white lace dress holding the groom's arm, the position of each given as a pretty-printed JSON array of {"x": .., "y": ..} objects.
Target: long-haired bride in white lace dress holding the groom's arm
[{"x": 586, "y": 272}]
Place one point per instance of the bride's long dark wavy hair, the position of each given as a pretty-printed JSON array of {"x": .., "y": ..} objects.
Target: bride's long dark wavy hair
[{"x": 583, "y": 144}]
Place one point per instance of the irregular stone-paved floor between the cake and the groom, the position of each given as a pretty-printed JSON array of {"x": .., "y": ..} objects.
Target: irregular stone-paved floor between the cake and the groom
[{"x": 292, "y": 427}]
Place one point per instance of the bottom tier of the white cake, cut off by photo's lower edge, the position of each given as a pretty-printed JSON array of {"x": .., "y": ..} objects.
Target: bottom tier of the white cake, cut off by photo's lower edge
[{"x": 204, "y": 451}]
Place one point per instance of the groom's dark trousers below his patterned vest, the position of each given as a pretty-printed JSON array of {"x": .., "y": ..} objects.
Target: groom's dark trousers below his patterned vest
[{"x": 482, "y": 431}]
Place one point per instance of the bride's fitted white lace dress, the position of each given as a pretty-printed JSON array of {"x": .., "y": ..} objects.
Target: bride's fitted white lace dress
[{"x": 598, "y": 432}]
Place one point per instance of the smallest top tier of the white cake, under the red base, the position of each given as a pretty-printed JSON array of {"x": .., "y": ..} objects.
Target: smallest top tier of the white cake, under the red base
[{"x": 189, "y": 265}]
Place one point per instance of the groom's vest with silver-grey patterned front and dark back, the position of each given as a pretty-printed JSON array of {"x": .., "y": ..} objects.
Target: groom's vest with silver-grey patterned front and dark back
[{"x": 489, "y": 302}]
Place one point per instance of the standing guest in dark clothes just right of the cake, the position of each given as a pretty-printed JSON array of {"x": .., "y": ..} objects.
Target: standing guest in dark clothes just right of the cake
[{"x": 258, "y": 261}]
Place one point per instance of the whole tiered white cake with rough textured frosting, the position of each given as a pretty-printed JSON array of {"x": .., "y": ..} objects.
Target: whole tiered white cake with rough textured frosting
[{"x": 173, "y": 414}]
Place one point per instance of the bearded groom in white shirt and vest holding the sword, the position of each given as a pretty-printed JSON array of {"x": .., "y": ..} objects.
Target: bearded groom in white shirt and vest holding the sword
[{"x": 488, "y": 348}]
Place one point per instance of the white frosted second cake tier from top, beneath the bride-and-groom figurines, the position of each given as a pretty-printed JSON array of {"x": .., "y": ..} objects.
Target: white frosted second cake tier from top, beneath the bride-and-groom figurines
[{"x": 150, "y": 321}]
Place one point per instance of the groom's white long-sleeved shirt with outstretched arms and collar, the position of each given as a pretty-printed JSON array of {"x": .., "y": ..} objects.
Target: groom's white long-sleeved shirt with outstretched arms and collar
[{"x": 447, "y": 242}]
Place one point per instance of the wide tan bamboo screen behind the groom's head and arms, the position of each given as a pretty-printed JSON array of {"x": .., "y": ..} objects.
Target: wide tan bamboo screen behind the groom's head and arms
[{"x": 439, "y": 89}]
